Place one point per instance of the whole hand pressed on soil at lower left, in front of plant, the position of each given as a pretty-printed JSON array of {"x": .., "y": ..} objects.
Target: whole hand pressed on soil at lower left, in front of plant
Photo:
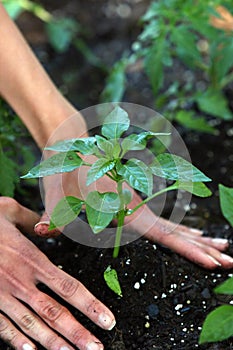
[{"x": 22, "y": 266}]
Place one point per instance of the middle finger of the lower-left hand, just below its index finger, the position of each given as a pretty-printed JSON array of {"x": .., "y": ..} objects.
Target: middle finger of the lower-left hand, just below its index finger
[{"x": 61, "y": 320}]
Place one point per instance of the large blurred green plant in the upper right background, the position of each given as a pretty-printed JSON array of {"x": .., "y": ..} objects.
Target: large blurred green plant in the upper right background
[{"x": 181, "y": 31}]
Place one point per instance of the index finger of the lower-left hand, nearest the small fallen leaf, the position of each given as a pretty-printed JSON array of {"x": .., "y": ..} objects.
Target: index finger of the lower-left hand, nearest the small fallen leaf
[{"x": 77, "y": 295}]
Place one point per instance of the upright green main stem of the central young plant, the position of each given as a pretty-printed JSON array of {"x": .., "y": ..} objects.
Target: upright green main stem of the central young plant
[{"x": 120, "y": 220}]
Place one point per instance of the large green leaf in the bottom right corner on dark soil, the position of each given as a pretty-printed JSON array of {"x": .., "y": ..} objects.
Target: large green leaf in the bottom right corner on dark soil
[{"x": 218, "y": 325}]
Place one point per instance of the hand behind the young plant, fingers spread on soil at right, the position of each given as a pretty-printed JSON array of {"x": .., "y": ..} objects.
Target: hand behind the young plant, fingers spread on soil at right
[{"x": 188, "y": 242}]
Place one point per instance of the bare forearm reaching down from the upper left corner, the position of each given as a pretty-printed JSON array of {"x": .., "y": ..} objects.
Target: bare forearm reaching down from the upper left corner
[{"x": 29, "y": 90}]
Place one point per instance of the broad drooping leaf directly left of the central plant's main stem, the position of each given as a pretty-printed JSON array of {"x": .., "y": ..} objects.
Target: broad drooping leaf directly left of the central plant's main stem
[{"x": 101, "y": 208}]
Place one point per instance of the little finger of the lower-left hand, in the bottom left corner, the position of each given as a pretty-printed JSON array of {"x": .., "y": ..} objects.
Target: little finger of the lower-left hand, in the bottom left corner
[{"x": 11, "y": 335}]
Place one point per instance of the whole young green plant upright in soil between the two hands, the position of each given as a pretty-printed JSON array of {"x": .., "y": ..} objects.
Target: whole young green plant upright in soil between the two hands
[{"x": 110, "y": 149}]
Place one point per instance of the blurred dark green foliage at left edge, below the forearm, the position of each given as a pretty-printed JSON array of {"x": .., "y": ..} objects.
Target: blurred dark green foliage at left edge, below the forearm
[{"x": 13, "y": 161}]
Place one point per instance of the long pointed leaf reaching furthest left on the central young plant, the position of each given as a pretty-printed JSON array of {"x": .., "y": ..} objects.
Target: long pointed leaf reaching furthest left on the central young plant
[{"x": 58, "y": 163}]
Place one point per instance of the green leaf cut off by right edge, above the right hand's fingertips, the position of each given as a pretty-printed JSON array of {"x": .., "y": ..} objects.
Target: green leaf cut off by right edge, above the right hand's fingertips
[{"x": 226, "y": 202}]
